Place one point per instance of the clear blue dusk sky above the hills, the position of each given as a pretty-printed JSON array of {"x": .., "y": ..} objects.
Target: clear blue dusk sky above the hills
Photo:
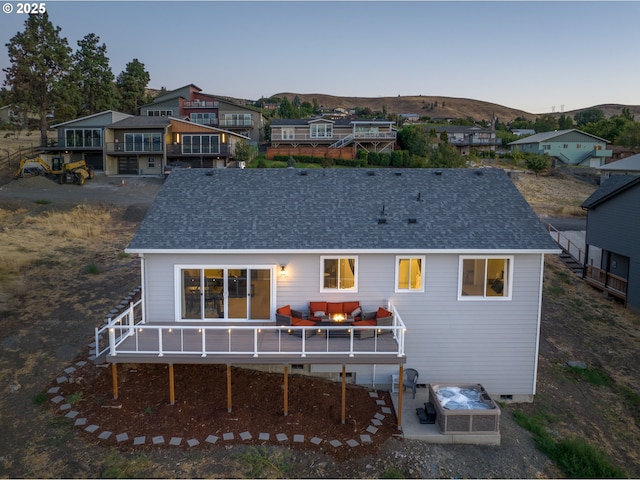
[{"x": 535, "y": 56}]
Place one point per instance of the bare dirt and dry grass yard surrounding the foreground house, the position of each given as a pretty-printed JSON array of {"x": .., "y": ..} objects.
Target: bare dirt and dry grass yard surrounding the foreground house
[{"x": 63, "y": 267}]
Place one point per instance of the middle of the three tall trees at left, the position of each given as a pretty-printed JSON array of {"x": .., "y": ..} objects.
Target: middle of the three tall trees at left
[{"x": 94, "y": 76}]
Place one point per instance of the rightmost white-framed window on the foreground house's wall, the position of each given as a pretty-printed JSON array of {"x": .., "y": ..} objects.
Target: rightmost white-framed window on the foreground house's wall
[{"x": 485, "y": 277}]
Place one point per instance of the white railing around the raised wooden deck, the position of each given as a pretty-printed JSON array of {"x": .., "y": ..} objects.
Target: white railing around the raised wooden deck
[{"x": 124, "y": 336}]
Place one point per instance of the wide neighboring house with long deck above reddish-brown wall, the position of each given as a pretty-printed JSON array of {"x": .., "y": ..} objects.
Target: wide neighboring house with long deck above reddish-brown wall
[{"x": 339, "y": 138}]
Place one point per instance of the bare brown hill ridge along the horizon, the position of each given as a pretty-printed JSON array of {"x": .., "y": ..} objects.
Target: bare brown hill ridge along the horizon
[{"x": 434, "y": 106}]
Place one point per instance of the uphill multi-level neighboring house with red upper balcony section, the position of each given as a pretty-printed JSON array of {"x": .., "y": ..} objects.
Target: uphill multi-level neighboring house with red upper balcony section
[{"x": 190, "y": 103}]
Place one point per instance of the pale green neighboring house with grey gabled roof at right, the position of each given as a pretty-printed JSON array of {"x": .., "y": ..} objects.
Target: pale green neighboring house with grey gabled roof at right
[{"x": 571, "y": 147}]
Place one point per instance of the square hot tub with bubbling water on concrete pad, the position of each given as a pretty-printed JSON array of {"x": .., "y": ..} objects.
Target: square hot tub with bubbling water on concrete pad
[{"x": 464, "y": 409}]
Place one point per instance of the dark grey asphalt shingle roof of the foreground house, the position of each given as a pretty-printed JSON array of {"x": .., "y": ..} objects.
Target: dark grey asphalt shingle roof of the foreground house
[{"x": 340, "y": 209}]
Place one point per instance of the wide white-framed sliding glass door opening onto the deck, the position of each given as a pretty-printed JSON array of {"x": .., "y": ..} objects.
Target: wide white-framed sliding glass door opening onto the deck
[{"x": 225, "y": 293}]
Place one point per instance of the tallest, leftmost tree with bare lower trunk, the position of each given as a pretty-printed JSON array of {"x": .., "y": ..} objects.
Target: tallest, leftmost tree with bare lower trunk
[{"x": 39, "y": 61}]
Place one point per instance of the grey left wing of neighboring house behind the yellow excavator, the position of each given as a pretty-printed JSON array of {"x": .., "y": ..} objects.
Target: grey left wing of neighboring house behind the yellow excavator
[{"x": 83, "y": 138}]
